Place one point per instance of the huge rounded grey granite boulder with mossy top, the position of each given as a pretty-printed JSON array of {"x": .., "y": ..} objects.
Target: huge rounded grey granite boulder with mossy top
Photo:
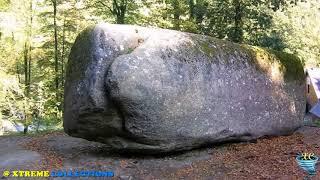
[{"x": 154, "y": 90}]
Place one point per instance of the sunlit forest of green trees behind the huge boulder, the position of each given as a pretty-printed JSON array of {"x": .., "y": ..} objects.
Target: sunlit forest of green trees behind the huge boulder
[{"x": 36, "y": 37}]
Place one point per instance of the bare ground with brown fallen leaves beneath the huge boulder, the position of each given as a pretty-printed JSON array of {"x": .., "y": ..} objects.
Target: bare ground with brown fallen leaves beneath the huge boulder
[{"x": 267, "y": 158}]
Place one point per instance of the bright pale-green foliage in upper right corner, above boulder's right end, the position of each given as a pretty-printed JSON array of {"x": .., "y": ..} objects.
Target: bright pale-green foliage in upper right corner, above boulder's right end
[{"x": 297, "y": 26}]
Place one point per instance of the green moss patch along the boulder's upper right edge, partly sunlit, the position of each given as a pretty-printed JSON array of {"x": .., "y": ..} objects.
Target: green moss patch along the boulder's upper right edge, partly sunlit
[{"x": 270, "y": 61}]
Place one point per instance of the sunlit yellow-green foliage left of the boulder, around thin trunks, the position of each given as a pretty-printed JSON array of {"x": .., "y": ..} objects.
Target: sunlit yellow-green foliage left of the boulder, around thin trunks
[{"x": 33, "y": 101}]
